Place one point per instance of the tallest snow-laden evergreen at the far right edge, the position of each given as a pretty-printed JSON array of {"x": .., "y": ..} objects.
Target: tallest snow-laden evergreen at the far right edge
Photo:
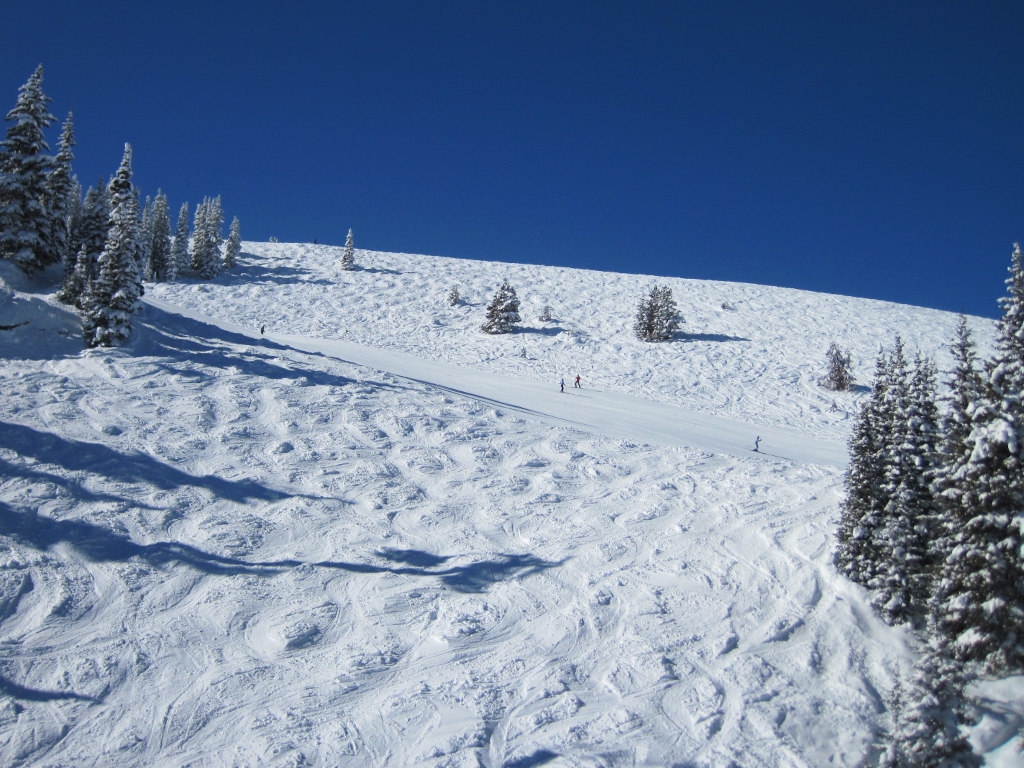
[{"x": 980, "y": 601}]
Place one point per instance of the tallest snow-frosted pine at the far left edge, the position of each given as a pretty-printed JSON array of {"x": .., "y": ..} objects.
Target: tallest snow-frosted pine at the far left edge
[{"x": 25, "y": 167}]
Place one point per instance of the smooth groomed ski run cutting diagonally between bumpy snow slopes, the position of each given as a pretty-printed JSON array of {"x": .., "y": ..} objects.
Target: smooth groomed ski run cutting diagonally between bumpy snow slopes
[{"x": 609, "y": 413}]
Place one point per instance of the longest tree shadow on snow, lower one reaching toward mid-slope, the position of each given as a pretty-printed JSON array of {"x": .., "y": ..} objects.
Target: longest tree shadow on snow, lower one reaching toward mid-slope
[{"x": 100, "y": 544}]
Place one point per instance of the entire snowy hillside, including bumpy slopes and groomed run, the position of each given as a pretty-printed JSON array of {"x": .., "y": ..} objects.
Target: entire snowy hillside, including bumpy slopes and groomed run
[{"x": 376, "y": 536}]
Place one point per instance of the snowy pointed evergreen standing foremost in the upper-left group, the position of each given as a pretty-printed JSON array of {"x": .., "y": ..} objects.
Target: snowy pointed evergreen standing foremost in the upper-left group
[{"x": 114, "y": 294}]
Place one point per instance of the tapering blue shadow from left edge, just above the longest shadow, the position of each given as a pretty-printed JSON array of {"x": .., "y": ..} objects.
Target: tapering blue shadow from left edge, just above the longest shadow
[{"x": 99, "y": 459}]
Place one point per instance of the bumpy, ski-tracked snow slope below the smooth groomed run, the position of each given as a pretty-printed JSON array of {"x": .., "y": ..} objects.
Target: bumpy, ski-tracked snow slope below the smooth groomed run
[{"x": 283, "y": 559}]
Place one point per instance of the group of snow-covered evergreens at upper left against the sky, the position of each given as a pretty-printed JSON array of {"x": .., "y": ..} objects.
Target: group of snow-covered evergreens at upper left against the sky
[{"x": 105, "y": 242}]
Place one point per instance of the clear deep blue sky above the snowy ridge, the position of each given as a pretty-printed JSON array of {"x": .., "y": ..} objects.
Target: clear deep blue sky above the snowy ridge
[{"x": 870, "y": 149}]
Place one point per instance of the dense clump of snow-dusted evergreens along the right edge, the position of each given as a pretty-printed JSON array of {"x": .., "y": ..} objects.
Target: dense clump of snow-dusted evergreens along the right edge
[{"x": 931, "y": 524}]
